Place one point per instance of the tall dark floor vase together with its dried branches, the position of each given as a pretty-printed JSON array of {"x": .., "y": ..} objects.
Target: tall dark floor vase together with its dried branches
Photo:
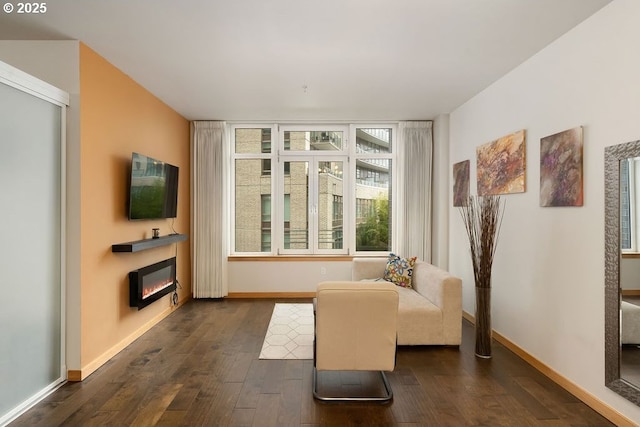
[{"x": 482, "y": 216}]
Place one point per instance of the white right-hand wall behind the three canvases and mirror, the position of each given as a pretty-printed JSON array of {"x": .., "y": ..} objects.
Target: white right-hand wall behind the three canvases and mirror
[{"x": 548, "y": 281}]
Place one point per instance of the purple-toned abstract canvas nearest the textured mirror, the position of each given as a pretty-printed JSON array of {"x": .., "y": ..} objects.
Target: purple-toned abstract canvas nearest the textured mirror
[{"x": 561, "y": 182}]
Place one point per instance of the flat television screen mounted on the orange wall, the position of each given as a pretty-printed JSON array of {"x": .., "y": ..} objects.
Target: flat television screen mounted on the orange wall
[{"x": 153, "y": 192}]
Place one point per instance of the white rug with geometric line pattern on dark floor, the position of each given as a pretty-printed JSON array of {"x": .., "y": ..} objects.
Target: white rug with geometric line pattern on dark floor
[{"x": 290, "y": 333}]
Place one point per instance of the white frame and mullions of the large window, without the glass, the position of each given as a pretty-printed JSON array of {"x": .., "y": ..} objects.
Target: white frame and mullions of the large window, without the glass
[{"x": 347, "y": 154}]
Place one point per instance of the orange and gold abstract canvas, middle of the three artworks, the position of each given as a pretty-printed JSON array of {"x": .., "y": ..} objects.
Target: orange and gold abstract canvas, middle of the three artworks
[{"x": 501, "y": 165}]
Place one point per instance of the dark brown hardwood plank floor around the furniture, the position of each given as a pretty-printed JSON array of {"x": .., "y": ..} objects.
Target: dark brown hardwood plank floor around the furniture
[{"x": 200, "y": 366}]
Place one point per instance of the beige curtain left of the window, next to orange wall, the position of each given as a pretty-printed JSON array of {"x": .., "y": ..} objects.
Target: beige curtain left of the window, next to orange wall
[{"x": 209, "y": 228}]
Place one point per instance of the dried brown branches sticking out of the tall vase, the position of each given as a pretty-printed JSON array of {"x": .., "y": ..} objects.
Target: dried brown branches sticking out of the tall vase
[{"x": 482, "y": 216}]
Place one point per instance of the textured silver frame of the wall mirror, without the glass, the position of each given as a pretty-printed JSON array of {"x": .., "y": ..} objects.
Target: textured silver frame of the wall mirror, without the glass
[{"x": 612, "y": 157}]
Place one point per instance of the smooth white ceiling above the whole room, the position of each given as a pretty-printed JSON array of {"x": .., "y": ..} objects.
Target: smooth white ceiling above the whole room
[{"x": 308, "y": 60}]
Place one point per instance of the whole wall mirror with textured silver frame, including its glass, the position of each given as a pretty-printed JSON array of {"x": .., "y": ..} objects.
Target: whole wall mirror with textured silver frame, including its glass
[{"x": 622, "y": 208}]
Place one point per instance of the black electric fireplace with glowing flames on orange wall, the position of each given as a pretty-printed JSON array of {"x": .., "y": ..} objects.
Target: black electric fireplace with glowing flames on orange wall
[{"x": 150, "y": 283}]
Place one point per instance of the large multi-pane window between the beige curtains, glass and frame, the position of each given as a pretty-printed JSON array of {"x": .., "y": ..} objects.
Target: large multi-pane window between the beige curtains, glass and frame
[{"x": 306, "y": 190}]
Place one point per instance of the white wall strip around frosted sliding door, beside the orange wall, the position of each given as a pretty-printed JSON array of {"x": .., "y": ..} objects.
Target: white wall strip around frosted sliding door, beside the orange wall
[{"x": 58, "y": 63}]
